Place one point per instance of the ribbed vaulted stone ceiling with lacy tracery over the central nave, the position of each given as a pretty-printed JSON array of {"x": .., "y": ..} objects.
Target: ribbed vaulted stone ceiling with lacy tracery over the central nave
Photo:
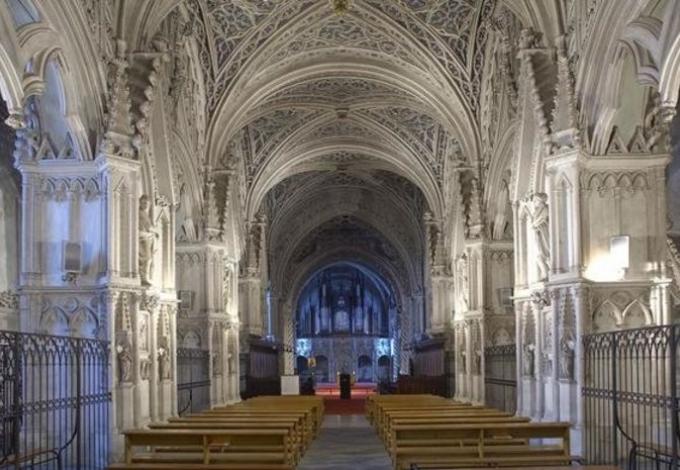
[{"x": 351, "y": 115}]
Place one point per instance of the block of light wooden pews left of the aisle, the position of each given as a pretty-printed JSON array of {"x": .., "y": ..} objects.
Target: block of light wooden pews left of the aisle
[{"x": 265, "y": 433}]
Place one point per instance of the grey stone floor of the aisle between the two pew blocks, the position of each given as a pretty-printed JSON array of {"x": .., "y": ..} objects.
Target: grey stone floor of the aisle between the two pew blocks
[{"x": 346, "y": 442}]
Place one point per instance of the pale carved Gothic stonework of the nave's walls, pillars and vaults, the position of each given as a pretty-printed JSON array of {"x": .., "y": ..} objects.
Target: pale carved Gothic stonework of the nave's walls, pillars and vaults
[{"x": 462, "y": 150}]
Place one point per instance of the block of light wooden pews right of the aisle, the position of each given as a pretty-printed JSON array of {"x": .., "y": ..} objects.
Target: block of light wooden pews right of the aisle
[{"x": 429, "y": 432}]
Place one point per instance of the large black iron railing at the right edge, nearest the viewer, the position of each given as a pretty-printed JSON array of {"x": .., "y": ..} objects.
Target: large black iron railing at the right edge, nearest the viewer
[{"x": 630, "y": 397}]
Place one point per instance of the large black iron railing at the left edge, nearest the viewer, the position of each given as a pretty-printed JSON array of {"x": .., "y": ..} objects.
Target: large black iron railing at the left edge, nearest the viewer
[{"x": 54, "y": 402}]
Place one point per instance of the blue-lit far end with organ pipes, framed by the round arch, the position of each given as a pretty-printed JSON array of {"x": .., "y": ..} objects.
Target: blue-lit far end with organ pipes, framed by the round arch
[{"x": 345, "y": 324}]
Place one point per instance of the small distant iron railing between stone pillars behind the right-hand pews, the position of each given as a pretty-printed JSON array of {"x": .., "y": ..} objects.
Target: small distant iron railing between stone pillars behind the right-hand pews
[{"x": 500, "y": 378}]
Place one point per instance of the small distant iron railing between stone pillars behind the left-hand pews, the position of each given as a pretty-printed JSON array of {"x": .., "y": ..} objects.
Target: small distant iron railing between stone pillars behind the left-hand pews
[{"x": 193, "y": 380}]
